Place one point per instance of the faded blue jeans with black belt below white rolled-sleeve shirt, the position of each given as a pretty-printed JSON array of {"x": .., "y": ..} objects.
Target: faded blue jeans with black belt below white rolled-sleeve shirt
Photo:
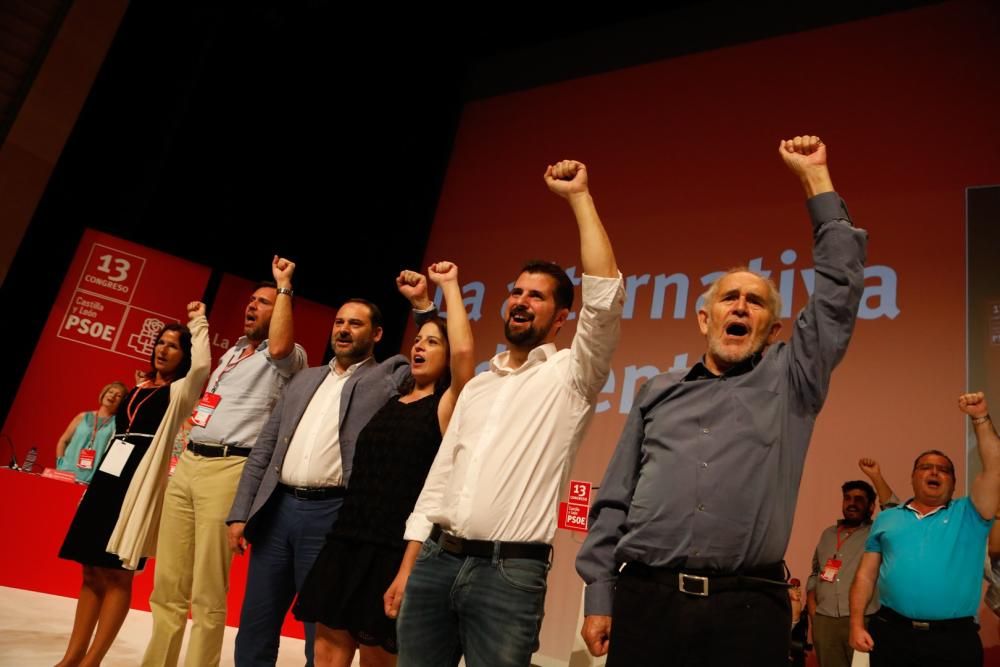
[{"x": 487, "y": 609}]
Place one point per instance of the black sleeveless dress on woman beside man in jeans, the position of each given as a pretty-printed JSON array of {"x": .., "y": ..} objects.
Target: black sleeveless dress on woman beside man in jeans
[{"x": 362, "y": 554}]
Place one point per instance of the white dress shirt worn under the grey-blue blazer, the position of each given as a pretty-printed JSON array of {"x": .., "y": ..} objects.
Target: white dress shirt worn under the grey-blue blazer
[{"x": 313, "y": 458}]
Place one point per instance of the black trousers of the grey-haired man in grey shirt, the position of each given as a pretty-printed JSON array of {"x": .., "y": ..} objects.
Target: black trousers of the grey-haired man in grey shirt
[{"x": 655, "y": 624}]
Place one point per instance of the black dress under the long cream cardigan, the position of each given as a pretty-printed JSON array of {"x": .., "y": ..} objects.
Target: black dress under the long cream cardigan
[{"x": 87, "y": 539}]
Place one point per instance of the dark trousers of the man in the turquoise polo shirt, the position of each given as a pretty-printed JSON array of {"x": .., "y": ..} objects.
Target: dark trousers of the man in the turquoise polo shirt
[{"x": 898, "y": 644}]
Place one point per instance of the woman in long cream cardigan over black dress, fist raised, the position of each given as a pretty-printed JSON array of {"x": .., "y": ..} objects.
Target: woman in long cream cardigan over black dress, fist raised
[{"x": 115, "y": 526}]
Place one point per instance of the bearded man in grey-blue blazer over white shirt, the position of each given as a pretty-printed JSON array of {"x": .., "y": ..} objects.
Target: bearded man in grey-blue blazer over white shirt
[{"x": 294, "y": 479}]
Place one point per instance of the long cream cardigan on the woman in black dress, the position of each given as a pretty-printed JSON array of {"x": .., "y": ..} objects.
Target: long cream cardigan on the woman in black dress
[{"x": 135, "y": 533}]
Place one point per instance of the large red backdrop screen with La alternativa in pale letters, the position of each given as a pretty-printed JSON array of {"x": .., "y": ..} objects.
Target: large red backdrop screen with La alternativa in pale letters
[{"x": 683, "y": 165}]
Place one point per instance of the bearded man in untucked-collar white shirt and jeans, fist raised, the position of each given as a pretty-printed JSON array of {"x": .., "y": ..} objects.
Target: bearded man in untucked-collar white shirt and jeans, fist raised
[{"x": 487, "y": 513}]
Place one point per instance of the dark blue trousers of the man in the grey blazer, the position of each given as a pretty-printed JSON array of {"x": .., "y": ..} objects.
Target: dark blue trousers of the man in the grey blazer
[{"x": 287, "y": 540}]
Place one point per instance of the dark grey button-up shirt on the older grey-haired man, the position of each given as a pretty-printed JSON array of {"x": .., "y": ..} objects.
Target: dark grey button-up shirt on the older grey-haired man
[{"x": 706, "y": 473}]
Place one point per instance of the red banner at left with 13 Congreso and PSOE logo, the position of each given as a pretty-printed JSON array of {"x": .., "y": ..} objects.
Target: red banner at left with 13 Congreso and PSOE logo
[{"x": 115, "y": 298}]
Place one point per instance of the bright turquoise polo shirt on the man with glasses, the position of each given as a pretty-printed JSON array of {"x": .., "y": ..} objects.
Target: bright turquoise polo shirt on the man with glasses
[{"x": 932, "y": 567}]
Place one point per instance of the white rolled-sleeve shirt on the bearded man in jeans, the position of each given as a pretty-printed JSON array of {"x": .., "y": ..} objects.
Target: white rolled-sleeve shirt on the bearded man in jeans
[{"x": 512, "y": 438}]
